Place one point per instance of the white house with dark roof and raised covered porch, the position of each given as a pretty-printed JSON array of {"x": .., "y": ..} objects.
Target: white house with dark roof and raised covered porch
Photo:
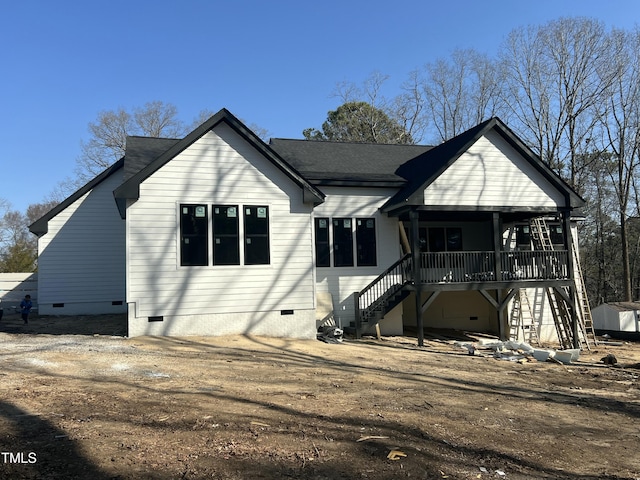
[{"x": 220, "y": 233}]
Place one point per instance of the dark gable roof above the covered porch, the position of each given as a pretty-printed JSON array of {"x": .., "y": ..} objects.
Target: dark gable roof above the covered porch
[{"x": 422, "y": 170}]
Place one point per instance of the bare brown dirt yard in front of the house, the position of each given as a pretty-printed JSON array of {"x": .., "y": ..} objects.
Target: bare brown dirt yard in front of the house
[{"x": 96, "y": 405}]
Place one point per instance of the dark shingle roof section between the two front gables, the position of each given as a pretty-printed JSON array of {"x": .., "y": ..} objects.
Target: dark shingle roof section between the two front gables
[{"x": 344, "y": 163}]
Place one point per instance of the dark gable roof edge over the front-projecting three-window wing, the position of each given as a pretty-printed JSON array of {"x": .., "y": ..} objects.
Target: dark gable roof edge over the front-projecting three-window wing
[{"x": 130, "y": 189}]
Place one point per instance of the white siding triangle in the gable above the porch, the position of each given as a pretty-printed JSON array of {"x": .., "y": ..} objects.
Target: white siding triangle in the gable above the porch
[{"x": 492, "y": 174}]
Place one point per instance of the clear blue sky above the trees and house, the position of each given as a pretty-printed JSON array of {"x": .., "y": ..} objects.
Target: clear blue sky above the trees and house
[{"x": 272, "y": 63}]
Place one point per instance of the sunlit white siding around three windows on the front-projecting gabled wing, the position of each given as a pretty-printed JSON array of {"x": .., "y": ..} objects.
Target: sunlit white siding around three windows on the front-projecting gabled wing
[{"x": 218, "y": 169}]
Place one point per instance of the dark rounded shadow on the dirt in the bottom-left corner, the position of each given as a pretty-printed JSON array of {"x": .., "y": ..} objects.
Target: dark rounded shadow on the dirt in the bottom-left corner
[{"x": 32, "y": 447}]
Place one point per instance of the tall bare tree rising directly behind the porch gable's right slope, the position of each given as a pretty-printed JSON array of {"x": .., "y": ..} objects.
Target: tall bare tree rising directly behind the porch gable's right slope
[{"x": 554, "y": 78}]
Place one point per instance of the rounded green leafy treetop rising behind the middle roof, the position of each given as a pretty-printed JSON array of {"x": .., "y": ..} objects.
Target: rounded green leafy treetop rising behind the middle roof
[{"x": 359, "y": 122}]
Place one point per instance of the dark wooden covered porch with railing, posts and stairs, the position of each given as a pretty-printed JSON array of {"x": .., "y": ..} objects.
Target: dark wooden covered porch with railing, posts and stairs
[{"x": 465, "y": 264}]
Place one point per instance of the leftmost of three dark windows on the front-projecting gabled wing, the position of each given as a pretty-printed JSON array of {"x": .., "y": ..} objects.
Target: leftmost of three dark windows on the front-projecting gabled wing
[{"x": 194, "y": 237}]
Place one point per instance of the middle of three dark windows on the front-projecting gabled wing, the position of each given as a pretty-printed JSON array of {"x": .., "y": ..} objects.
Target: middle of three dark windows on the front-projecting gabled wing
[{"x": 226, "y": 249}]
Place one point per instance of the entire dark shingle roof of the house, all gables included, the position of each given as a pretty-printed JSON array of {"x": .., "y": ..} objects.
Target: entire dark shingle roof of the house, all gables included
[{"x": 310, "y": 164}]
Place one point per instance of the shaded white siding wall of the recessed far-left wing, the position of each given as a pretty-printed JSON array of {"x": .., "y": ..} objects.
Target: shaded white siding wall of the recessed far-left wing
[{"x": 81, "y": 259}]
